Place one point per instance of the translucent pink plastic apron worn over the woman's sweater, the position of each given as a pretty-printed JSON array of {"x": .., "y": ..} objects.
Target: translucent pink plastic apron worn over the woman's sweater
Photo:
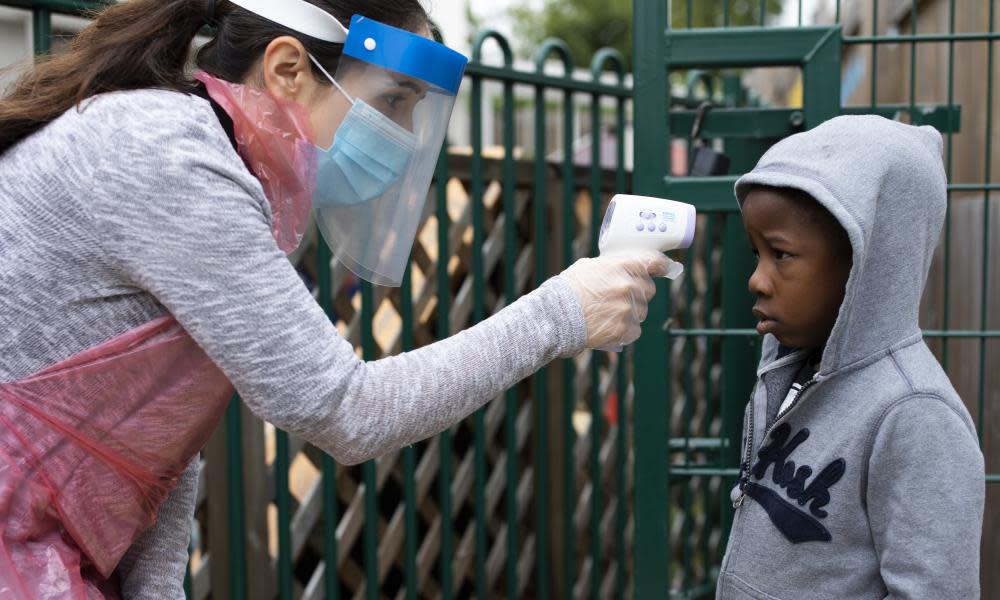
[{"x": 90, "y": 447}]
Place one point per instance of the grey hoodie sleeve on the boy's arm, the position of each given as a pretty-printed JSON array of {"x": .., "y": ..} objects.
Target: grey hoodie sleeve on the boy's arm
[{"x": 925, "y": 495}]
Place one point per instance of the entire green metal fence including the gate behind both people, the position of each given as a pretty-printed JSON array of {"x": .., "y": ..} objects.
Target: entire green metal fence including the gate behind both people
[{"x": 520, "y": 501}]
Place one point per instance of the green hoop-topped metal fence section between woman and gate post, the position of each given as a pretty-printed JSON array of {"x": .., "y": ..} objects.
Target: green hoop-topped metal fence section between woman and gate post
[{"x": 545, "y": 511}]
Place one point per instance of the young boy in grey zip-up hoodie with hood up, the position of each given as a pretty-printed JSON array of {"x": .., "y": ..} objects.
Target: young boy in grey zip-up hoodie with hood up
[{"x": 862, "y": 476}]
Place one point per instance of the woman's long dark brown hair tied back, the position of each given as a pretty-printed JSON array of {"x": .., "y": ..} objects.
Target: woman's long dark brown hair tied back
[{"x": 145, "y": 44}]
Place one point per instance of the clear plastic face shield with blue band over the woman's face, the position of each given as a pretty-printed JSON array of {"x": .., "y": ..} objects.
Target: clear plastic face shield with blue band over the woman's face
[{"x": 372, "y": 182}]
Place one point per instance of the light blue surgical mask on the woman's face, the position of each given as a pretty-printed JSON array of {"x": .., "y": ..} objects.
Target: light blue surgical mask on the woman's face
[{"x": 369, "y": 154}]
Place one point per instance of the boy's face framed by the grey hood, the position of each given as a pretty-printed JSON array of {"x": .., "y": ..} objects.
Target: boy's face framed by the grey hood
[{"x": 800, "y": 276}]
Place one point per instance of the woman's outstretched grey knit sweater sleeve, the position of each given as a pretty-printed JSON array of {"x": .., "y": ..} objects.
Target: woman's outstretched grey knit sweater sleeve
[{"x": 188, "y": 224}]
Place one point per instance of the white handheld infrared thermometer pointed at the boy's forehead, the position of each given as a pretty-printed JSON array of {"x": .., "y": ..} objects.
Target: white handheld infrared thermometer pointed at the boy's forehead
[{"x": 646, "y": 223}]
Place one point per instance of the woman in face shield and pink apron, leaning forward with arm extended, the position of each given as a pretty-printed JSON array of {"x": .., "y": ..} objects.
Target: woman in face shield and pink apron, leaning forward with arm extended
[{"x": 145, "y": 217}]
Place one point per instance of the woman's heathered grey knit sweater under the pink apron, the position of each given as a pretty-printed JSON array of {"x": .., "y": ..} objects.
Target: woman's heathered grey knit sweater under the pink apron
[{"x": 138, "y": 205}]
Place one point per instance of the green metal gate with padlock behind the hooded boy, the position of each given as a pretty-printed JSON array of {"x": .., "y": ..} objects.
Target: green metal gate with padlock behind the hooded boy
[{"x": 687, "y": 428}]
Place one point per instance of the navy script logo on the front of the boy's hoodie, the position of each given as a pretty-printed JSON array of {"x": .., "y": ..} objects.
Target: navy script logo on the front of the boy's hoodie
[{"x": 796, "y": 525}]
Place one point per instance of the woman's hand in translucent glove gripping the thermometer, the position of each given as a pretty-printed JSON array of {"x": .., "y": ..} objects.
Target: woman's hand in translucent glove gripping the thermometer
[{"x": 614, "y": 291}]
